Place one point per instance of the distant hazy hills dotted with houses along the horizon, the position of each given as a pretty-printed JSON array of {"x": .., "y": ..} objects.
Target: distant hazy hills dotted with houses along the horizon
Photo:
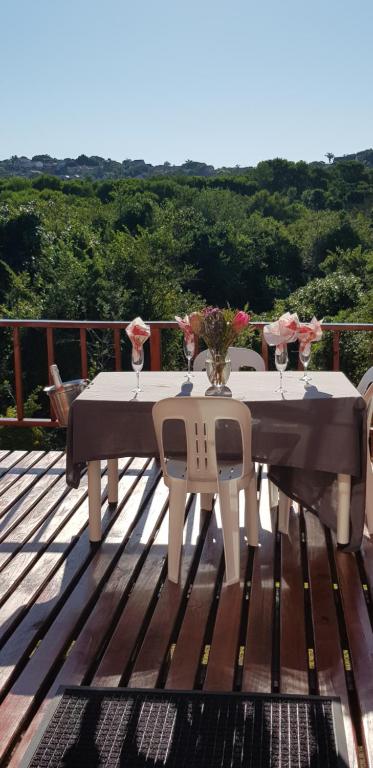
[{"x": 98, "y": 168}]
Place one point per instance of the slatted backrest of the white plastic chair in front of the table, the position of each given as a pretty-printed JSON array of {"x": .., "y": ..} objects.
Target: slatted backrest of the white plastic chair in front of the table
[{"x": 200, "y": 415}]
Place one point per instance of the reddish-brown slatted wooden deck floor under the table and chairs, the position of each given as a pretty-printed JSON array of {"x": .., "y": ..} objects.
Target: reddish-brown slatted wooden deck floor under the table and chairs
[{"x": 300, "y": 620}]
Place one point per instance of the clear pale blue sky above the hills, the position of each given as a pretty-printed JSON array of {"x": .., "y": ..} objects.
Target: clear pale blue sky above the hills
[{"x": 225, "y": 82}]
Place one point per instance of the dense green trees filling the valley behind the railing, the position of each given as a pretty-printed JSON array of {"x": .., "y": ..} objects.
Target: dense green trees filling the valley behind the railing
[{"x": 284, "y": 235}]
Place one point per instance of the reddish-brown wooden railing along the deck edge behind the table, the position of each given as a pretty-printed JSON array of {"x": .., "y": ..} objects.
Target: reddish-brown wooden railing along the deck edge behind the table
[{"x": 117, "y": 327}]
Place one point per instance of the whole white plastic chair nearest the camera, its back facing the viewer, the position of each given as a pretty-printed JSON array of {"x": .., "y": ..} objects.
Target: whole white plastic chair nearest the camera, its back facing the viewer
[{"x": 202, "y": 474}]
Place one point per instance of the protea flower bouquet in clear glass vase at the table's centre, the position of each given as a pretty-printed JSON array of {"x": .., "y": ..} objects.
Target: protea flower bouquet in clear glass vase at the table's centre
[{"x": 219, "y": 329}]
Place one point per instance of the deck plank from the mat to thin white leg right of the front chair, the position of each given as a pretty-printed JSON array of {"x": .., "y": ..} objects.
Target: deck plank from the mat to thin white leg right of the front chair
[{"x": 293, "y": 653}]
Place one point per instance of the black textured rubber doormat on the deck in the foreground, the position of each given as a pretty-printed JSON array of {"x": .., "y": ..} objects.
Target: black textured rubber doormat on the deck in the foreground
[{"x": 92, "y": 727}]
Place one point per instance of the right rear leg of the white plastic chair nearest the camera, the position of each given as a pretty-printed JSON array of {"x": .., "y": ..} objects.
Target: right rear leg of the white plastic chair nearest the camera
[{"x": 228, "y": 495}]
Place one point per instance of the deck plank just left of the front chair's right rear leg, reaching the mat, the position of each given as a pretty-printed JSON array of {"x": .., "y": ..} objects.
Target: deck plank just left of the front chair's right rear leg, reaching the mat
[{"x": 187, "y": 654}]
